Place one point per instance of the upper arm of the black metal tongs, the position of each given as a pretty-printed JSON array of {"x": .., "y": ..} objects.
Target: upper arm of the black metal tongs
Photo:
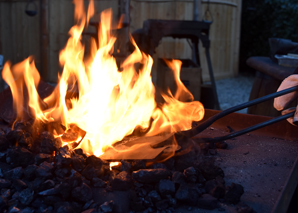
[{"x": 194, "y": 131}]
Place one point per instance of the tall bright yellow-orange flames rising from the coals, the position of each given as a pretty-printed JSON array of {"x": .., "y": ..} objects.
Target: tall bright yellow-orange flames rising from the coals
[{"x": 109, "y": 104}]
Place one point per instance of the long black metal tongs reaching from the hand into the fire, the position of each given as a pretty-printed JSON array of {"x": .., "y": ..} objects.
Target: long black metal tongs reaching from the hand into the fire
[{"x": 196, "y": 130}]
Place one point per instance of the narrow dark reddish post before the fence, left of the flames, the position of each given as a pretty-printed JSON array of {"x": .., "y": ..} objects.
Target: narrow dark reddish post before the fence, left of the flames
[{"x": 44, "y": 40}]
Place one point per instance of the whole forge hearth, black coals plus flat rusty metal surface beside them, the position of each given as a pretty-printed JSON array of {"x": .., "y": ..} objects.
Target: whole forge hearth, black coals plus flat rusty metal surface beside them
[{"x": 253, "y": 172}]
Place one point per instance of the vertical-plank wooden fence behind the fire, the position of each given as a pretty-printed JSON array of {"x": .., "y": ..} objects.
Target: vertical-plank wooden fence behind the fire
[{"x": 45, "y": 34}]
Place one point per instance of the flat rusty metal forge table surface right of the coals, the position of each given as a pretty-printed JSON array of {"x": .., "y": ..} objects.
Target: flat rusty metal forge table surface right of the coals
[{"x": 263, "y": 161}]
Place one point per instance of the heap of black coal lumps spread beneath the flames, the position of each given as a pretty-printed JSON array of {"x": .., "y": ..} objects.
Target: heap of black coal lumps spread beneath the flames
[{"x": 38, "y": 175}]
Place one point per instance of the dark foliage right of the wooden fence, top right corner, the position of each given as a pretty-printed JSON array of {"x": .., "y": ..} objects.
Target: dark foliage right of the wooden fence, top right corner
[{"x": 264, "y": 19}]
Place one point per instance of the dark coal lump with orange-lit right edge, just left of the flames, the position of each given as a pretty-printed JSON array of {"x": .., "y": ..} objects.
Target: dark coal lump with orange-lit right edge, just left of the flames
[{"x": 48, "y": 144}]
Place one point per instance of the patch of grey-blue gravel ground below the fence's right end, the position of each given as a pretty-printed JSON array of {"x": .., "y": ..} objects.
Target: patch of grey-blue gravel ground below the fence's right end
[{"x": 234, "y": 91}]
